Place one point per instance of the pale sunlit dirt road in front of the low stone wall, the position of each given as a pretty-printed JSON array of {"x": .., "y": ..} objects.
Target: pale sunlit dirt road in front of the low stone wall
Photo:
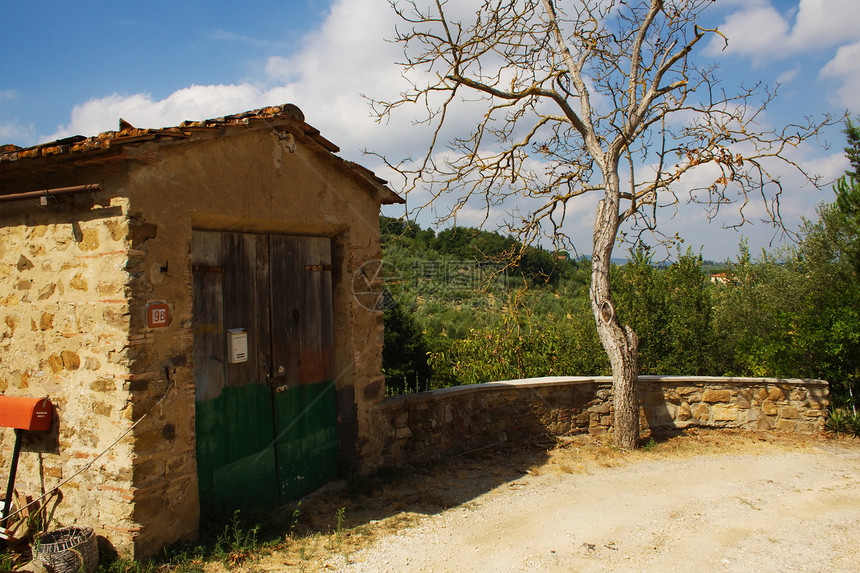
[{"x": 751, "y": 509}]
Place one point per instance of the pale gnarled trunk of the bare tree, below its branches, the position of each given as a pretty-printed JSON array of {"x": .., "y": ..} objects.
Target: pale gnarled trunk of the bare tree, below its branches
[{"x": 620, "y": 342}]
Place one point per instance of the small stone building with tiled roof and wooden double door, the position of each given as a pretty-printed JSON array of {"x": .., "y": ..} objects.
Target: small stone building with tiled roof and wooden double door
[{"x": 198, "y": 302}]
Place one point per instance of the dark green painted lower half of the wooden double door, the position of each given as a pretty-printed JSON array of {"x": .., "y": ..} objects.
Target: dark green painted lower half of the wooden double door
[{"x": 240, "y": 465}]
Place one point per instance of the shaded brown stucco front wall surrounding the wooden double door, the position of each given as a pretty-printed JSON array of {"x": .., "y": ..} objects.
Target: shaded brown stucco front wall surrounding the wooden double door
[{"x": 250, "y": 184}]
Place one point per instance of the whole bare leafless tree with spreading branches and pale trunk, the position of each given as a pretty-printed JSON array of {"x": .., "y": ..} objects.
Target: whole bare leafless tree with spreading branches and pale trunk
[{"x": 595, "y": 97}]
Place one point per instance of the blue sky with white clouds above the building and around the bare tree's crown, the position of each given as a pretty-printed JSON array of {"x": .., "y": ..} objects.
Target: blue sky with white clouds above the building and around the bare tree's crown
[{"x": 76, "y": 67}]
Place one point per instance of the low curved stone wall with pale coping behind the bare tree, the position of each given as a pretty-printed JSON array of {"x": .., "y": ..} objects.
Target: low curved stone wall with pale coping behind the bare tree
[{"x": 419, "y": 428}]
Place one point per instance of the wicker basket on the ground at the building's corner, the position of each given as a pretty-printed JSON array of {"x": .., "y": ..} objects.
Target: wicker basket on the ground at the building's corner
[{"x": 70, "y": 550}]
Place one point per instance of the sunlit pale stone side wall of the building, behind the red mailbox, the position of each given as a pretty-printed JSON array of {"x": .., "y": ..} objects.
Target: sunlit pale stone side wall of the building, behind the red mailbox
[{"x": 64, "y": 334}]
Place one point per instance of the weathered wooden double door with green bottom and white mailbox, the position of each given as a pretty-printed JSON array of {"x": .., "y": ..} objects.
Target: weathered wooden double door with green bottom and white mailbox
[{"x": 265, "y": 426}]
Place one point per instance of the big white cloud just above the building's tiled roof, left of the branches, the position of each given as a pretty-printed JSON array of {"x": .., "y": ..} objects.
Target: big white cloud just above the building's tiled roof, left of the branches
[{"x": 335, "y": 64}]
